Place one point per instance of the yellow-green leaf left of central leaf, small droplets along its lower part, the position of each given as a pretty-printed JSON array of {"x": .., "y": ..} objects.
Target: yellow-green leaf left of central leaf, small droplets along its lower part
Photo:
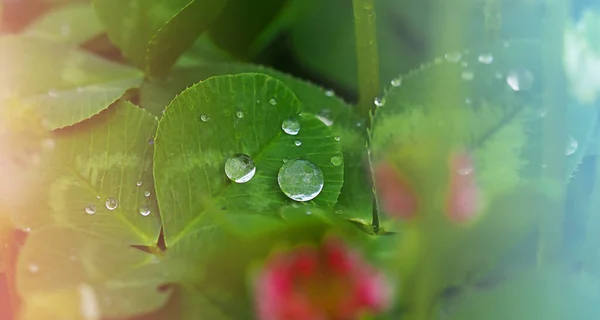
[{"x": 91, "y": 179}]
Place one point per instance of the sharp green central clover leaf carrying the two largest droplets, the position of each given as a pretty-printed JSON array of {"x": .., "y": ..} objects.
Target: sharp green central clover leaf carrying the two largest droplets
[{"x": 189, "y": 172}]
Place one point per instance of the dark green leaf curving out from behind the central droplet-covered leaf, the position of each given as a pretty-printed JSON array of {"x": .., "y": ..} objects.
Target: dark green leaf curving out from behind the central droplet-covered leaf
[{"x": 355, "y": 201}]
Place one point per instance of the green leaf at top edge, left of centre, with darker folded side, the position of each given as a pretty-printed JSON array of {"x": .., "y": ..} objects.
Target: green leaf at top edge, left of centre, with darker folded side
[{"x": 153, "y": 34}]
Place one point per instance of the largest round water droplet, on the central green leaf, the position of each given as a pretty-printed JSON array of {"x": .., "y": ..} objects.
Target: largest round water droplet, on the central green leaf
[{"x": 300, "y": 180}]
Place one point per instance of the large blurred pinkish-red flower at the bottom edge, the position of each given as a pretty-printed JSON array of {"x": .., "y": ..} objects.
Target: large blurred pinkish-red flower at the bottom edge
[{"x": 331, "y": 282}]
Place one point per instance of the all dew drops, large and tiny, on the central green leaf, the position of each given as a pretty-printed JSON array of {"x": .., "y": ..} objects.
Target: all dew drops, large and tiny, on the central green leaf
[{"x": 300, "y": 180}]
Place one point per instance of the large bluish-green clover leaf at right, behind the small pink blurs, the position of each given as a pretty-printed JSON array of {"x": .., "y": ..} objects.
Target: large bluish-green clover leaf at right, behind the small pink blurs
[{"x": 492, "y": 110}]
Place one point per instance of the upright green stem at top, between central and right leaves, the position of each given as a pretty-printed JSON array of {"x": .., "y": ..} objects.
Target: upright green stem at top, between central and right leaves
[{"x": 365, "y": 31}]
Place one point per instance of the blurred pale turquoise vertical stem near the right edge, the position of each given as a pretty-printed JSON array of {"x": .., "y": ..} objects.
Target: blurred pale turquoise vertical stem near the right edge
[{"x": 550, "y": 242}]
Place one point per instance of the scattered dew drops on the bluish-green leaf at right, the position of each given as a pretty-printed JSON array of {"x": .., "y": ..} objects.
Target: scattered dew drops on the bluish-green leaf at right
[{"x": 517, "y": 79}]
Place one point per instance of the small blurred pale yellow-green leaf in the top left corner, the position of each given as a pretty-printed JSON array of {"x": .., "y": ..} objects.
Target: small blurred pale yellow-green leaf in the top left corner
[{"x": 74, "y": 24}]
